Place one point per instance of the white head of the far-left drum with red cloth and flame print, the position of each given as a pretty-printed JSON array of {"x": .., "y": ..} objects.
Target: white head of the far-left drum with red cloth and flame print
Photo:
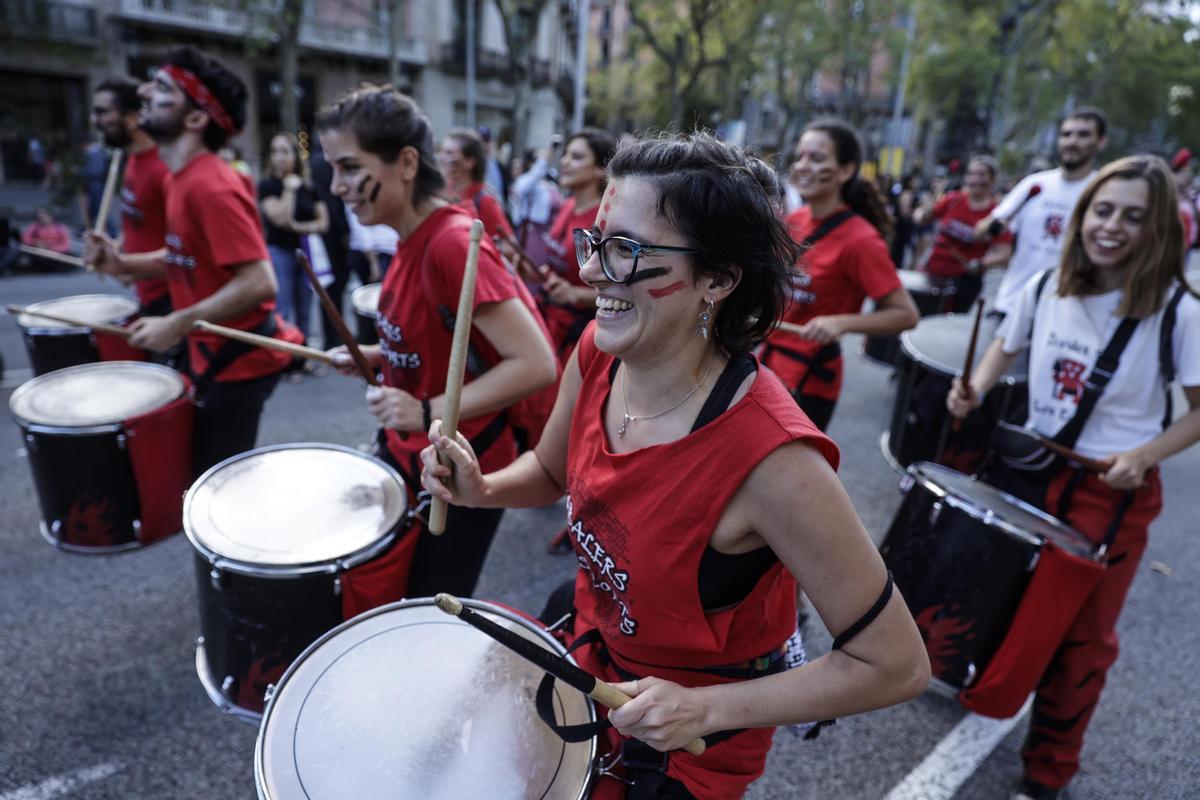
[{"x": 92, "y": 395}]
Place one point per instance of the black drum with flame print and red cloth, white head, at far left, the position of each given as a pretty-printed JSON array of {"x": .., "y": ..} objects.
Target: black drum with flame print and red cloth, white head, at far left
[{"x": 111, "y": 448}]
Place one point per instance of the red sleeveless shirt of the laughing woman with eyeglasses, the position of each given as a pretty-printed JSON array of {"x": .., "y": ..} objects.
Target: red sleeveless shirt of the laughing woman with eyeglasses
[{"x": 640, "y": 524}]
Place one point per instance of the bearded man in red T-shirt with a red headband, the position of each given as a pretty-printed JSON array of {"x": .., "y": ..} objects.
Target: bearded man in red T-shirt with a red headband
[{"x": 215, "y": 263}]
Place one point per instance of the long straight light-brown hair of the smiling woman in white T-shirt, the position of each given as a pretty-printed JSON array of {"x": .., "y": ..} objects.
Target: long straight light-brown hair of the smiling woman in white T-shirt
[{"x": 1157, "y": 258}]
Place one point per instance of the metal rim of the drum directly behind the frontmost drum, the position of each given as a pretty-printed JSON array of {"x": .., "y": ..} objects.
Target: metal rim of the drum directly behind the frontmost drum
[{"x": 332, "y": 566}]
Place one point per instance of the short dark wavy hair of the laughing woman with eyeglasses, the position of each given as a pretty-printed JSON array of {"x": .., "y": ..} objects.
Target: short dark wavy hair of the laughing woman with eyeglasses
[{"x": 721, "y": 201}]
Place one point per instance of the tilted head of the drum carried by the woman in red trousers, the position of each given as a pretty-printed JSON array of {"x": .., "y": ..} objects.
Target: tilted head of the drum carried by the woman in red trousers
[{"x": 989, "y": 503}]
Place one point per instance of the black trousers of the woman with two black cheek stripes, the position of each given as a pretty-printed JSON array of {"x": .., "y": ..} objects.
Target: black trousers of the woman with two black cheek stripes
[{"x": 452, "y": 562}]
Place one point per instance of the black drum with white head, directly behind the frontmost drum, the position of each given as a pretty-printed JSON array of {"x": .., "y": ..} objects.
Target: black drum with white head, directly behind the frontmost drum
[{"x": 274, "y": 531}]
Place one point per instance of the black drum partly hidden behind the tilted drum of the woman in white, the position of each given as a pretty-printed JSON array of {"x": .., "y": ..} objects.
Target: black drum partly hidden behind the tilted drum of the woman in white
[{"x": 932, "y": 356}]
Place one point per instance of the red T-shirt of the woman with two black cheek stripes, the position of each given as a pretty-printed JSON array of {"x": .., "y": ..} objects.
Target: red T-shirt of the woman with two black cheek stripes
[{"x": 419, "y": 294}]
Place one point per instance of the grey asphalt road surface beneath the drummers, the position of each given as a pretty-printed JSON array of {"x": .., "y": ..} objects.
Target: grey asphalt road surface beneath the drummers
[{"x": 101, "y": 697}]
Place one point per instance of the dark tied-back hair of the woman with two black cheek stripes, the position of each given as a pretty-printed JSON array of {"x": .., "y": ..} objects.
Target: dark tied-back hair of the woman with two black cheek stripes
[{"x": 385, "y": 122}]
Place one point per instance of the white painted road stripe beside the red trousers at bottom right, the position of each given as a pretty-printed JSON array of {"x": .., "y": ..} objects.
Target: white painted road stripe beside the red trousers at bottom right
[{"x": 956, "y": 757}]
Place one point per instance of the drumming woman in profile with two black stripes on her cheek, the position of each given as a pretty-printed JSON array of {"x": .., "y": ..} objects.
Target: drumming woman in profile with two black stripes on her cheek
[{"x": 381, "y": 148}]
